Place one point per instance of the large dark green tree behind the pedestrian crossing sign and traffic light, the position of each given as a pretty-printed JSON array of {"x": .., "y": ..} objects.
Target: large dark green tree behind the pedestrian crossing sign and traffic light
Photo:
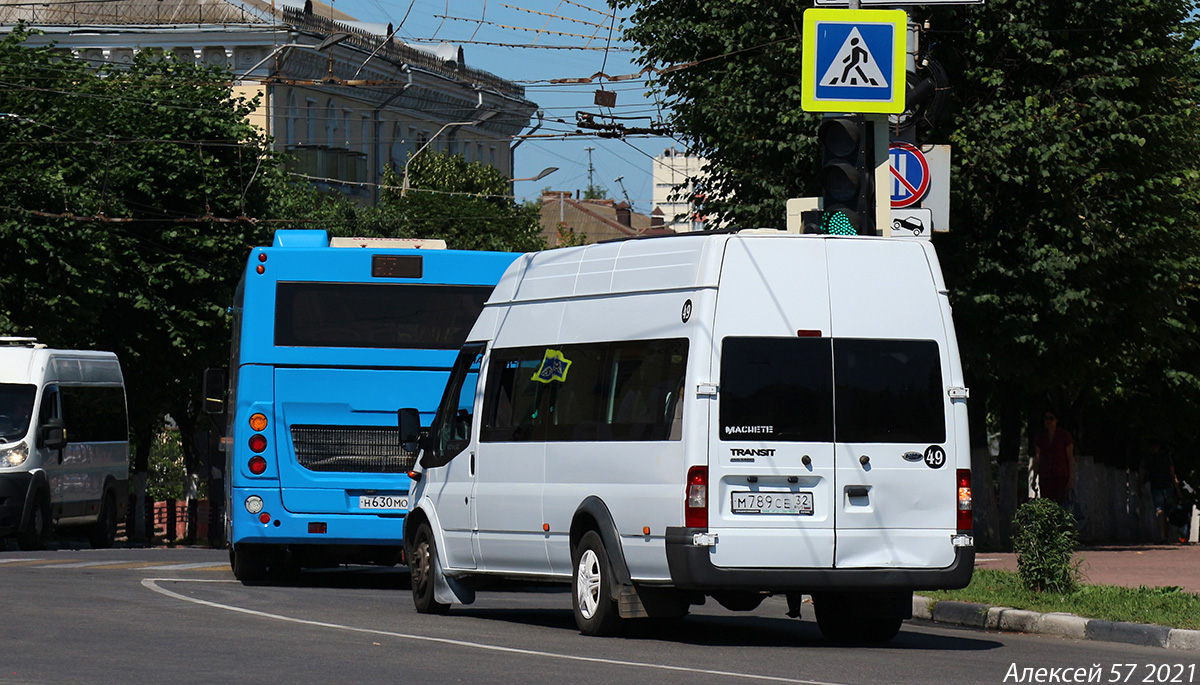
[{"x": 1073, "y": 254}]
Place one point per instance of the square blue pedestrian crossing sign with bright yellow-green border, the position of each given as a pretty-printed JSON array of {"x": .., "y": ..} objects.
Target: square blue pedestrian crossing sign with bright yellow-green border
[{"x": 854, "y": 61}]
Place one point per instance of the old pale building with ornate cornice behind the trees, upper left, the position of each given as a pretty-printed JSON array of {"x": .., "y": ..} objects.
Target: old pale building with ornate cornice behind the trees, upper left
[{"x": 340, "y": 97}]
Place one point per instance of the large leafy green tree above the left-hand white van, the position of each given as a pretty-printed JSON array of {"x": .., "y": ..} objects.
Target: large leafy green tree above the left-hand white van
[{"x": 127, "y": 194}]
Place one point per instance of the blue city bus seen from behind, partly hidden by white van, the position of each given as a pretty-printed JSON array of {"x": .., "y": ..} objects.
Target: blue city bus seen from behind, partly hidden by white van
[{"x": 331, "y": 338}]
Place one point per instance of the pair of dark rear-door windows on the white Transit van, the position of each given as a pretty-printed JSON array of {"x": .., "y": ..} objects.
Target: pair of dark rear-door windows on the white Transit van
[{"x": 821, "y": 390}]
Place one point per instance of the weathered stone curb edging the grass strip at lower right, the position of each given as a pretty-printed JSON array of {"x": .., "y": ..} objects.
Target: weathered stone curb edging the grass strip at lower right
[{"x": 1059, "y": 624}]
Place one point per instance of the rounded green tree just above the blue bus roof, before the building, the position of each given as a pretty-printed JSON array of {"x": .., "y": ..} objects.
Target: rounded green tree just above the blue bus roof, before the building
[{"x": 469, "y": 205}]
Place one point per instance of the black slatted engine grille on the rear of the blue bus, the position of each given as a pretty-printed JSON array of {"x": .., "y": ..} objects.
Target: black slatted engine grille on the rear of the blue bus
[{"x": 355, "y": 449}]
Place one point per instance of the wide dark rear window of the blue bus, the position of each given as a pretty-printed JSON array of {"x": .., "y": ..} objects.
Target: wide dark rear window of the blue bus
[{"x": 376, "y": 316}]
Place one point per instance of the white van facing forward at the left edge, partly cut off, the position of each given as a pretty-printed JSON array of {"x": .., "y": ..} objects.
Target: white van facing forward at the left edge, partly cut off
[{"x": 64, "y": 443}]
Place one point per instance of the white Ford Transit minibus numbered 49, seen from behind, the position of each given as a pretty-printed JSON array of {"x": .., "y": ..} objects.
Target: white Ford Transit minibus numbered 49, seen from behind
[{"x": 730, "y": 416}]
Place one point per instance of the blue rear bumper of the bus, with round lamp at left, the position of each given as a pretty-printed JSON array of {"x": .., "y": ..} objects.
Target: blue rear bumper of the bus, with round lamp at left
[{"x": 287, "y": 528}]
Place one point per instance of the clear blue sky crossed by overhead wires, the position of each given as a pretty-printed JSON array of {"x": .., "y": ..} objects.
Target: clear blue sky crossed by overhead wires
[{"x": 574, "y": 23}]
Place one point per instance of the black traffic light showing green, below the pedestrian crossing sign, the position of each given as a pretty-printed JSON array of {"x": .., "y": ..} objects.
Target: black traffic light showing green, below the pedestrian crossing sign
[{"x": 848, "y": 176}]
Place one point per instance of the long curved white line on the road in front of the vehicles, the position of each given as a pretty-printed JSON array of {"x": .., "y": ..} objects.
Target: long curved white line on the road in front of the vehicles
[{"x": 152, "y": 584}]
